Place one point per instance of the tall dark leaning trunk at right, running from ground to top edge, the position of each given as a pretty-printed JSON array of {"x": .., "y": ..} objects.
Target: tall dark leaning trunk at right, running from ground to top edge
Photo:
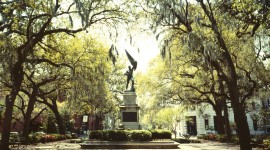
[{"x": 231, "y": 80}]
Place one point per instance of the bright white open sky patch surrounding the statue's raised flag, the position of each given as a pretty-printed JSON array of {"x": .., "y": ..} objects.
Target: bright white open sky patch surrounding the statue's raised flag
[{"x": 143, "y": 49}]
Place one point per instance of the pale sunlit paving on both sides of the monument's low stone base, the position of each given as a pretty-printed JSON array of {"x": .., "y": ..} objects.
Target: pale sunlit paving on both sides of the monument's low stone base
[{"x": 192, "y": 146}]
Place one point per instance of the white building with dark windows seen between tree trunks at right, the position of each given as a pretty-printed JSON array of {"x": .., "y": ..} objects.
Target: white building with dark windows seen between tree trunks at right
[{"x": 195, "y": 122}]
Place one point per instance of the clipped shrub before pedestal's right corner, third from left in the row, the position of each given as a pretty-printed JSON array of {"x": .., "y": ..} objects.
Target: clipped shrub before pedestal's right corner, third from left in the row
[{"x": 140, "y": 135}]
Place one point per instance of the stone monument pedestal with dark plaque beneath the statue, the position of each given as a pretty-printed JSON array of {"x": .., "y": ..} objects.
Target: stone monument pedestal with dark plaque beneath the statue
[{"x": 130, "y": 111}]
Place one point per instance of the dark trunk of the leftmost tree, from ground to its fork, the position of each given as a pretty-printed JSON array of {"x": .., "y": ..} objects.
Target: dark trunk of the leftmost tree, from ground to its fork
[{"x": 17, "y": 77}]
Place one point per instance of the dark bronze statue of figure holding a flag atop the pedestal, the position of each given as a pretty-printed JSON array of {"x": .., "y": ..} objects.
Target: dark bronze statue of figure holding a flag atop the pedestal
[{"x": 129, "y": 72}]
